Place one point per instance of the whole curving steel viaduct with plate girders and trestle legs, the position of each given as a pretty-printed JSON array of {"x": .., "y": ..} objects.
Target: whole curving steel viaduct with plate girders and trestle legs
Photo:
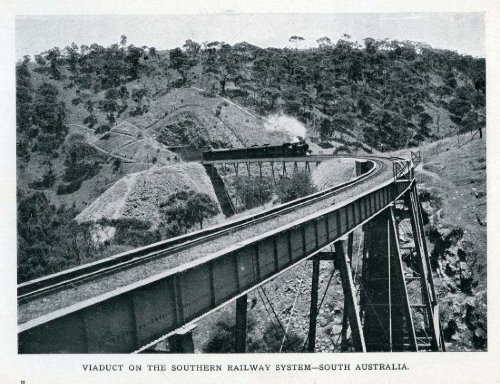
[{"x": 137, "y": 307}]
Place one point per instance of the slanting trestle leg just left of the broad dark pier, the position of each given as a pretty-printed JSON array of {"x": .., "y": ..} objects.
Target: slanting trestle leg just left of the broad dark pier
[{"x": 350, "y": 295}]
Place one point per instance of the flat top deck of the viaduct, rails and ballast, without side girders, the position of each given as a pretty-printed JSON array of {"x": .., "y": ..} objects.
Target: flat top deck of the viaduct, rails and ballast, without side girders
[{"x": 47, "y": 294}]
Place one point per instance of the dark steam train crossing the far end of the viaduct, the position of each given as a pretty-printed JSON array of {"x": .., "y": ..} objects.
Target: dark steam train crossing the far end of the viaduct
[{"x": 295, "y": 149}]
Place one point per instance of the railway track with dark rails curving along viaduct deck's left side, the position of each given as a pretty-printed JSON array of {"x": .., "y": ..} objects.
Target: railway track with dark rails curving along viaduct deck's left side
[{"x": 66, "y": 280}]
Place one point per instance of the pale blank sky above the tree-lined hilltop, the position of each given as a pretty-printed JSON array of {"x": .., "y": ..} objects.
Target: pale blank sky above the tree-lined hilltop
[{"x": 461, "y": 32}]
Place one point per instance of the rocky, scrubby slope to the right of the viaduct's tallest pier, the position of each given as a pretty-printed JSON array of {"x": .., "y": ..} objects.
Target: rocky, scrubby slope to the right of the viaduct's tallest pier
[{"x": 453, "y": 195}]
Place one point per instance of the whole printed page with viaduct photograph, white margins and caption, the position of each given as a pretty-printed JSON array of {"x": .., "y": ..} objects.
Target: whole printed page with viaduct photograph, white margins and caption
[{"x": 226, "y": 184}]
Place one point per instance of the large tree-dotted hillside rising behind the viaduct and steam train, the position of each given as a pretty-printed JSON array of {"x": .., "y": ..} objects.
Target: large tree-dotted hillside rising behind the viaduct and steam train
[{"x": 104, "y": 132}]
